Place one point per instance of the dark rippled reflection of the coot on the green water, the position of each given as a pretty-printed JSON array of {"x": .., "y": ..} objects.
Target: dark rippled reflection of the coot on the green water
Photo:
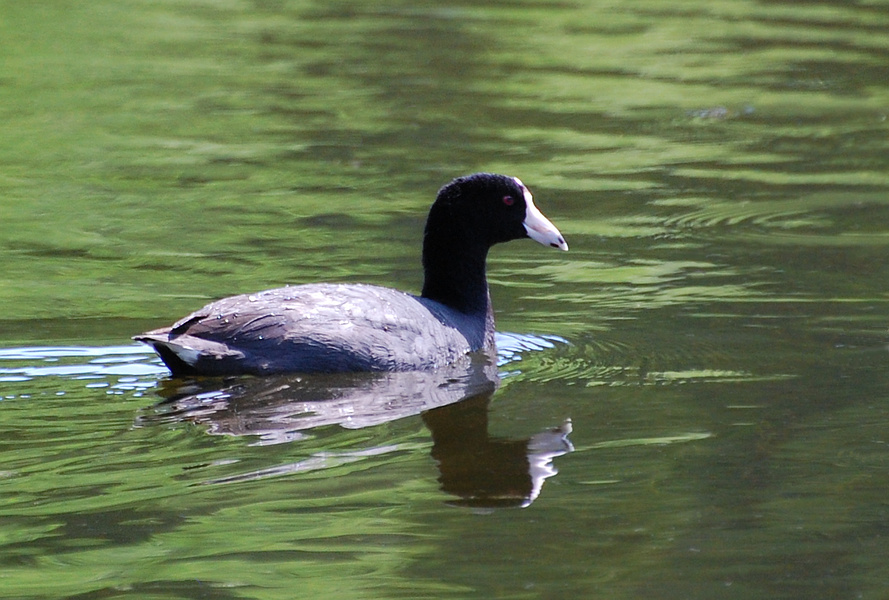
[{"x": 480, "y": 470}]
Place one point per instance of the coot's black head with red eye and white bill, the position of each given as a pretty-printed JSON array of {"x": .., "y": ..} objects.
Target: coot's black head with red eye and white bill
[{"x": 485, "y": 209}]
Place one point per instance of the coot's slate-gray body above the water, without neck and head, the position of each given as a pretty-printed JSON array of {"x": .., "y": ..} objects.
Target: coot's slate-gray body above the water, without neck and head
[{"x": 320, "y": 327}]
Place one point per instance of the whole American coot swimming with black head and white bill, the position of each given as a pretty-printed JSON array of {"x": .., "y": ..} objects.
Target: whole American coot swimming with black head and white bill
[{"x": 355, "y": 327}]
